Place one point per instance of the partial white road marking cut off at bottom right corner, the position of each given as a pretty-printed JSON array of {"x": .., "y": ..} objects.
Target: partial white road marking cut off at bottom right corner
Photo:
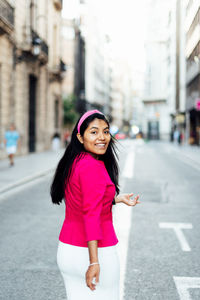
[{"x": 185, "y": 283}]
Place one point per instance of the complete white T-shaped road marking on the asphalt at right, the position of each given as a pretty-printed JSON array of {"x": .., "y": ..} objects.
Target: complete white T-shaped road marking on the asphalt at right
[{"x": 177, "y": 227}]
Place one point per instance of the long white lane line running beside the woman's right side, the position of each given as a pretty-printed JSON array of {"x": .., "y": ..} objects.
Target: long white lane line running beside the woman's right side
[{"x": 122, "y": 220}]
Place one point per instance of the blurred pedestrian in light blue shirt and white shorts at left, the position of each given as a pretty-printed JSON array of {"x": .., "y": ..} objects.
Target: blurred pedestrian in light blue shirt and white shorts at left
[{"x": 11, "y": 140}]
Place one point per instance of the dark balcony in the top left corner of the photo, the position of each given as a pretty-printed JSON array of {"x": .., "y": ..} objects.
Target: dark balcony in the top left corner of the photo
[{"x": 6, "y": 17}]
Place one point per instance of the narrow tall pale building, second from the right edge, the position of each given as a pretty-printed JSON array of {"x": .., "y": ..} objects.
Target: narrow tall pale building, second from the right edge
[{"x": 176, "y": 68}]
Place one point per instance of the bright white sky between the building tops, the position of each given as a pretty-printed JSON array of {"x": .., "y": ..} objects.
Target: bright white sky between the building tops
[{"x": 124, "y": 20}]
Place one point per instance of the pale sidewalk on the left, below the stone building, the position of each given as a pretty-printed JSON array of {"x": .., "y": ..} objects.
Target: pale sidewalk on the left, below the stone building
[{"x": 27, "y": 168}]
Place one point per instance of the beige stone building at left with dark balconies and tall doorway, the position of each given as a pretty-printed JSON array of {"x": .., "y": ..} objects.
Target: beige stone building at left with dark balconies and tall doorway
[{"x": 31, "y": 71}]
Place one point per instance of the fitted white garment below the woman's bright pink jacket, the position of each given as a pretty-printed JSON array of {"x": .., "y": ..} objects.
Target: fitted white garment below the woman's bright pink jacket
[{"x": 73, "y": 263}]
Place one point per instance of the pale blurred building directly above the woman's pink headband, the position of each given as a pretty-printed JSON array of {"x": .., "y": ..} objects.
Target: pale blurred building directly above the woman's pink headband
[{"x": 92, "y": 70}]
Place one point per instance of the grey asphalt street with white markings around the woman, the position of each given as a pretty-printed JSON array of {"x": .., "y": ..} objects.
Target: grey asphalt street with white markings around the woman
[{"x": 159, "y": 238}]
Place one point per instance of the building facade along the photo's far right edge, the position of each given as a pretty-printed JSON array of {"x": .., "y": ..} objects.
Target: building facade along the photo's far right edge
[{"x": 193, "y": 71}]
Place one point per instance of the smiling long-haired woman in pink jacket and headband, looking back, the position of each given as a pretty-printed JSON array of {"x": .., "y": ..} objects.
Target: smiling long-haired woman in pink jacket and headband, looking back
[{"x": 87, "y": 178}]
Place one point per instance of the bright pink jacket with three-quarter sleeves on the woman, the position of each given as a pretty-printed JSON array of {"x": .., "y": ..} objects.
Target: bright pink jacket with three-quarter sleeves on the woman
[{"x": 88, "y": 214}]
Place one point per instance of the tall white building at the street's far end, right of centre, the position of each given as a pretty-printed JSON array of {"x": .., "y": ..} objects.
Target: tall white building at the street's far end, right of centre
[{"x": 156, "y": 120}]
